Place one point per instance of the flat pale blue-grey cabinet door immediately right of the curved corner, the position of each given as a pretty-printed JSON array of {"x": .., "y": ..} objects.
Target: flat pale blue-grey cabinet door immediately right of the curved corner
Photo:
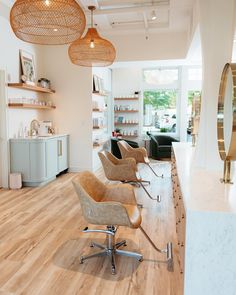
[{"x": 51, "y": 158}]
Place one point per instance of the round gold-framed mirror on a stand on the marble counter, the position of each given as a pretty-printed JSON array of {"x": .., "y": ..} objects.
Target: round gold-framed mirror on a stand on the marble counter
[{"x": 226, "y": 118}]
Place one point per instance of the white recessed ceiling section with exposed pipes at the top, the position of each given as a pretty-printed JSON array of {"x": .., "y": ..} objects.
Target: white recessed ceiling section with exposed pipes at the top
[{"x": 135, "y": 16}]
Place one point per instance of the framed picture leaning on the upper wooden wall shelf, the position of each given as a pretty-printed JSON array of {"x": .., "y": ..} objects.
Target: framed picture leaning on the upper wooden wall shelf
[{"x": 28, "y": 67}]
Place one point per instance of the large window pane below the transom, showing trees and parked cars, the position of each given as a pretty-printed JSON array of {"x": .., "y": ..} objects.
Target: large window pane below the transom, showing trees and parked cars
[{"x": 160, "y": 110}]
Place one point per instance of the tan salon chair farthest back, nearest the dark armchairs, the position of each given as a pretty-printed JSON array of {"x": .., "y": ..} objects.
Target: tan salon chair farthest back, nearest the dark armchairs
[{"x": 139, "y": 154}]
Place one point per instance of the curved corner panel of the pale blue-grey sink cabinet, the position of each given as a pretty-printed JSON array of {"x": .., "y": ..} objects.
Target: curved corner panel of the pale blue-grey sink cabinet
[{"x": 37, "y": 161}]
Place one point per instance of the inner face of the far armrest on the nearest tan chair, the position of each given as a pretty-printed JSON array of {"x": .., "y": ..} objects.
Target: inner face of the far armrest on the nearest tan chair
[{"x": 123, "y": 193}]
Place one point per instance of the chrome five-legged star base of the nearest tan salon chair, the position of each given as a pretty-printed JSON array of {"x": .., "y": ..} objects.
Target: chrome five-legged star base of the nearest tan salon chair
[{"x": 111, "y": 249}]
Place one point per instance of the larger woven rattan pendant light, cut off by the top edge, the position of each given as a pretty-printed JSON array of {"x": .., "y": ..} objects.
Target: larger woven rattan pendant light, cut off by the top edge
[{"x": 47, "y": 22}]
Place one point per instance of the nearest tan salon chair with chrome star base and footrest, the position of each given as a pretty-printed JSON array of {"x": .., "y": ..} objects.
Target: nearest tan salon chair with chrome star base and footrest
[{"x": 113, "y": 206}]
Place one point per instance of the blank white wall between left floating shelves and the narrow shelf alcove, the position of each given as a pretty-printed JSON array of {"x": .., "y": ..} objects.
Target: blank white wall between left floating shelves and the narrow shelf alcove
[{"x": 73, "y": 98}]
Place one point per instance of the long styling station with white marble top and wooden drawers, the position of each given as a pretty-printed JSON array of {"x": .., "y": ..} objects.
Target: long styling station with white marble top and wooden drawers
[{"x": 205, "y": 226}]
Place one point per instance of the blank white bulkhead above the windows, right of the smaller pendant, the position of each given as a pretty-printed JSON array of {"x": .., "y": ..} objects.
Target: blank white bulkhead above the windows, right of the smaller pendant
[{"x": 162, "y": 46}]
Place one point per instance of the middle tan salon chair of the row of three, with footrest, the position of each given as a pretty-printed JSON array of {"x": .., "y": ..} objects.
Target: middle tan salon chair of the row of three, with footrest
[{"x": 124, "y": 170}]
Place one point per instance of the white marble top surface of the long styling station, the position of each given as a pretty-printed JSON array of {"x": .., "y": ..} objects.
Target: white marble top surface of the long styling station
[{"x": 202, "y": 189}]
